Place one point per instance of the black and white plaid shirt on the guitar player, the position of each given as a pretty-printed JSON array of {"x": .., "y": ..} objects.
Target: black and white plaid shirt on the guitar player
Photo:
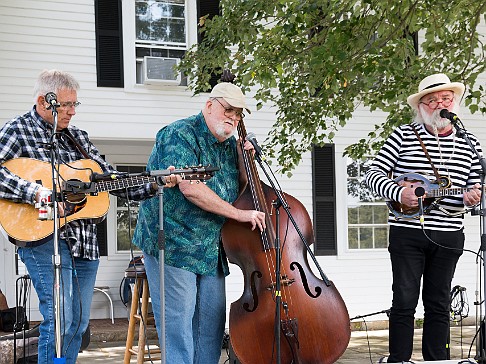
[{"x": 29, "y": 136}]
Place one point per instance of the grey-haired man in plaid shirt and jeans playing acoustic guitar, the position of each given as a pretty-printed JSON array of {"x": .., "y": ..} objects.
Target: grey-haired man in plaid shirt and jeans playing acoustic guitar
[{"x": 29, "y": 136}]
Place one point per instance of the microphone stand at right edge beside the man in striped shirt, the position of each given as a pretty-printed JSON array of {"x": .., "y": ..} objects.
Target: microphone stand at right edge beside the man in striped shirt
[{"x": 462, "y": 132}]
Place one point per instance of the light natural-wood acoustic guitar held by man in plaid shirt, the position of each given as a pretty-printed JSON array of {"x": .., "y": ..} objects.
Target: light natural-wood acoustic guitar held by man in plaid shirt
[{"x": 83, "y": 199}]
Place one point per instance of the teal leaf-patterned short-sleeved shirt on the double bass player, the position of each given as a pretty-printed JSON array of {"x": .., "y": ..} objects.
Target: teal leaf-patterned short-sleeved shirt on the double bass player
[{"x": 192, "y": 235}]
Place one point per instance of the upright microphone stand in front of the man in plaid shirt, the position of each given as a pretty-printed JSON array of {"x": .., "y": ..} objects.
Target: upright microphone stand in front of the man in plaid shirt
[{"x": 56, "y": 257}]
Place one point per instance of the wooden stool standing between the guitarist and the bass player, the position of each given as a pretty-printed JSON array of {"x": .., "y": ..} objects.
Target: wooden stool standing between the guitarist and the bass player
[{"x": 138, "y": 273}]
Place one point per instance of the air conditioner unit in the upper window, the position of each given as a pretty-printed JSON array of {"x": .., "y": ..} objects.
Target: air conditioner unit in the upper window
[{"x": 158, "y": 70}]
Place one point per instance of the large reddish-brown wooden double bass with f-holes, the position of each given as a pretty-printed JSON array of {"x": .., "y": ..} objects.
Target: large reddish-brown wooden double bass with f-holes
[{"x": 313, "y": 319}]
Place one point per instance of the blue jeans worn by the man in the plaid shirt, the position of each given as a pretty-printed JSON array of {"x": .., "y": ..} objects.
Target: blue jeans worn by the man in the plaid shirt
[{"x": 76, "y": 292}]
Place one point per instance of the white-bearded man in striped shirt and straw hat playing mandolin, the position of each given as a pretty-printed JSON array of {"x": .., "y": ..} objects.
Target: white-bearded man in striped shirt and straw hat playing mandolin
[{"x": 425, "y": 248}]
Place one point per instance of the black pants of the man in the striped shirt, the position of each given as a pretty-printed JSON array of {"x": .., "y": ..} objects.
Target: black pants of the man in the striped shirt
[{"x": 413, "y": 258}]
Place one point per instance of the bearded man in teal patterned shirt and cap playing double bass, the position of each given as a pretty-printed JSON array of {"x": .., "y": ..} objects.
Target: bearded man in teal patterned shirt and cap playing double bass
[{"x": 194, "y": 213}]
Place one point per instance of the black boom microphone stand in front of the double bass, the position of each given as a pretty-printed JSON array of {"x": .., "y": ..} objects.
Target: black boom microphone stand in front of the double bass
[{"x": 281, "y": 202}]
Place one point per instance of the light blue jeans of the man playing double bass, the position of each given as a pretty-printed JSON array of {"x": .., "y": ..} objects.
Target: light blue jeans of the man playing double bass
[{"x": 195, "y": 313}]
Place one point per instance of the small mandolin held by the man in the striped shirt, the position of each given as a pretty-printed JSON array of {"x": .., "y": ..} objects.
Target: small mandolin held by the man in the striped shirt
[{"x": 434, "y": 192}]
